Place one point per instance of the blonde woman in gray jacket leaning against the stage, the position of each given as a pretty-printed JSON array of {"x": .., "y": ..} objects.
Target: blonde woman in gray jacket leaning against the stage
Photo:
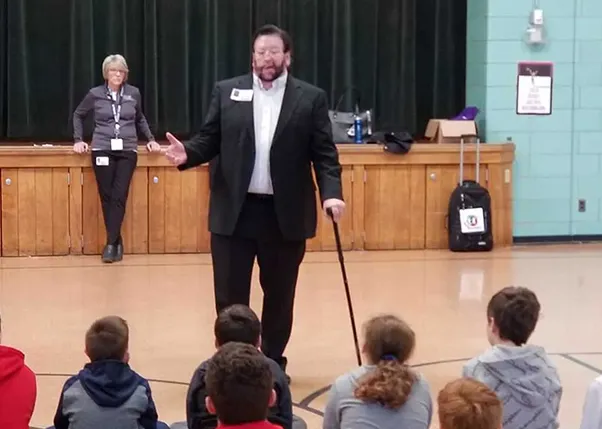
[{"x": 117, "y": 109}]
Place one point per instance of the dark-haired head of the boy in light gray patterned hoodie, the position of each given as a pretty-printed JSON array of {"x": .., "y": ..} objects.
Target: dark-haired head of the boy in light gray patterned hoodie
[{"x": 512, "y": 315}]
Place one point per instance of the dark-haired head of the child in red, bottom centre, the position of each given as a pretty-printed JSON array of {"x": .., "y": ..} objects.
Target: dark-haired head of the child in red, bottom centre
[{"x": 239, "y": 383}]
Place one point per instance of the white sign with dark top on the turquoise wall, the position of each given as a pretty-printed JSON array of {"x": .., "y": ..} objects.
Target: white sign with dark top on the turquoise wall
[{"x": 534, "y": 88}]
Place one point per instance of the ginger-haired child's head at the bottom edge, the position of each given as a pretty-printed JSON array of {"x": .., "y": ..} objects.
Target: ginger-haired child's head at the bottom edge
[{"x": 469, "y": 404}]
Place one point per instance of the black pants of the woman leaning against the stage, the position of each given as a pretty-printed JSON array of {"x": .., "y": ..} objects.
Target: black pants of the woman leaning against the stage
[{"x": 113, "y": 182}]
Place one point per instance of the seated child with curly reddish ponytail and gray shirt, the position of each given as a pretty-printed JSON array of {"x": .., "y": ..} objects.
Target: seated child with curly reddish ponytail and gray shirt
[{"x": 385, "y": 393}]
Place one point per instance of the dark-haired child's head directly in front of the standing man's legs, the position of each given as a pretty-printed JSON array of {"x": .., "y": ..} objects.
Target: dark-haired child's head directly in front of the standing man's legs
[{"x": 237, "y": 323}]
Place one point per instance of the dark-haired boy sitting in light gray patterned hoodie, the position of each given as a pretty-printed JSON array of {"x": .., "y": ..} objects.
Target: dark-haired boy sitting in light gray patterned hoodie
[{"x": 522, "y": 375}]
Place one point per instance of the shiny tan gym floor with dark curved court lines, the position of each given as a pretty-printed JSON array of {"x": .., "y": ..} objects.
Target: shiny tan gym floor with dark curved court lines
[{"x": 48, "y": 303}]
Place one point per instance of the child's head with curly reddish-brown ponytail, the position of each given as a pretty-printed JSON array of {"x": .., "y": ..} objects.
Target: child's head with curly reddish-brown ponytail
[{"x": 388, "y": 344}]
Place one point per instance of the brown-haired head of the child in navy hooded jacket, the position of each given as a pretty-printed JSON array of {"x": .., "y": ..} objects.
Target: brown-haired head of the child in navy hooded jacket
[{"x": 107, "y": 339}]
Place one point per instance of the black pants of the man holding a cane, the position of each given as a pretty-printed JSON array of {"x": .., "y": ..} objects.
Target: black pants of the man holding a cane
[{"x": 258, "y": 235}]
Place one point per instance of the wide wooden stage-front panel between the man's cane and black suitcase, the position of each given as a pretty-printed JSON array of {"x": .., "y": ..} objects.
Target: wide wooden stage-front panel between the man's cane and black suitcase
[{"x": 394, "y": 207}]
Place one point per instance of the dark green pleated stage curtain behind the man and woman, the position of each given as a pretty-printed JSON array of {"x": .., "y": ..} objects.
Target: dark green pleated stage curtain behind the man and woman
[{"x": 406, "y": 57}]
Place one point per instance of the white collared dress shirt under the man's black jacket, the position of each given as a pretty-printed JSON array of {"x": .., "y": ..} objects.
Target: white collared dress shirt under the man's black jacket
[{"x": 266, "y": 111}]
